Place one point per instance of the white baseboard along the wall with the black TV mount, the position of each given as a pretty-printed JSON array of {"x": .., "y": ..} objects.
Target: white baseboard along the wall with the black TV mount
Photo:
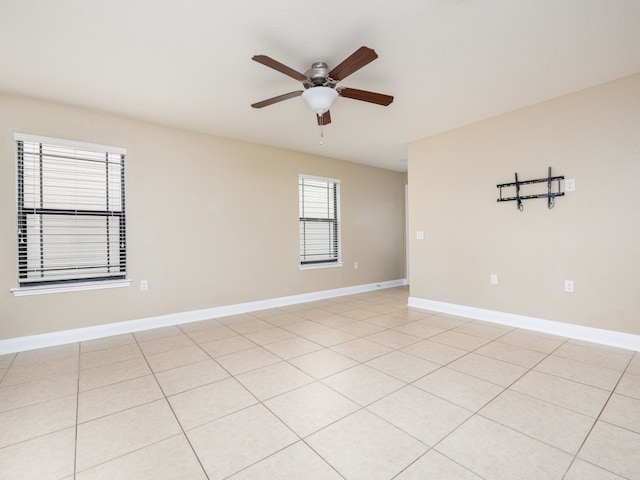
[{"x": 596, "y": 335}]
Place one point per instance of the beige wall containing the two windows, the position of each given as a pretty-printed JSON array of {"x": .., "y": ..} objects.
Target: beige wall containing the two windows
[{"x": 210, "y": 221}]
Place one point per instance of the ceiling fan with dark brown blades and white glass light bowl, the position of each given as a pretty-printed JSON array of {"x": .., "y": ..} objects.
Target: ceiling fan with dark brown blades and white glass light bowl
[{"x": 320, "y": 83}]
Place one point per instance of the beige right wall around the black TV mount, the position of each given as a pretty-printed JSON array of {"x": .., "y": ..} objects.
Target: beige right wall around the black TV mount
[{"x": 592, "y": 236}]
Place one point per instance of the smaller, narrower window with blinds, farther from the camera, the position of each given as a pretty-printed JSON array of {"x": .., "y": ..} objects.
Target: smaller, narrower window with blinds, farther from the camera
[{"x": 319, "y": 221}]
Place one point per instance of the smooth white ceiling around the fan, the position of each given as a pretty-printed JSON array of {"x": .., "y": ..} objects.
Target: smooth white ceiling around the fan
[{"x": 187, "y": 63}]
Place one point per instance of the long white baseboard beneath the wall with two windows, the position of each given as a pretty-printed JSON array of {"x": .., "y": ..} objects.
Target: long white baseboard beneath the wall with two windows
[{"x": 32, "y": 342}]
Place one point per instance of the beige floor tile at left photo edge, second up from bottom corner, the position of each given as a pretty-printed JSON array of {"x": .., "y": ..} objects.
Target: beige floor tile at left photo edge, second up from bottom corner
[{"x": 29, "y": 422}]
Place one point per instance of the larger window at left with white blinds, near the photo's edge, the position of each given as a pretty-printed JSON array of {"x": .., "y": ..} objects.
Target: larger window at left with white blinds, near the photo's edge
[{"x": 71, "y": 212}]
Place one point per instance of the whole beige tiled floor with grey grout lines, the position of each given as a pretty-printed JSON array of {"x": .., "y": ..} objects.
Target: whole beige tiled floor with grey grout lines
[{"x": 356, "y": 387}]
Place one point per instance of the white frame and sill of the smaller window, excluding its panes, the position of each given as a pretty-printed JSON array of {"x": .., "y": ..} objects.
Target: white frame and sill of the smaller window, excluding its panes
[{"x": 336, "y": 222}]
